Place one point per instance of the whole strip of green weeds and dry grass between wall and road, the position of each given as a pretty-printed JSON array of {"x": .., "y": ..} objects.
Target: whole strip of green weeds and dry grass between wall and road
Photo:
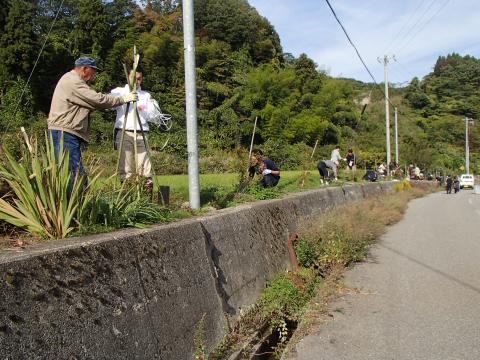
[{"x": 326, "y": 245}]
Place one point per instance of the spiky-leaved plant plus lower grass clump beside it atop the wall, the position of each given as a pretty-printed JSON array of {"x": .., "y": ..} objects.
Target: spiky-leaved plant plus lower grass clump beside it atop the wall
[{"x": 49, "y": 201}]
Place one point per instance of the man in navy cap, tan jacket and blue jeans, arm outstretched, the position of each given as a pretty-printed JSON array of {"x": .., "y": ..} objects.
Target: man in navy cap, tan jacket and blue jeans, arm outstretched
[{"x": 72, "y": 101}]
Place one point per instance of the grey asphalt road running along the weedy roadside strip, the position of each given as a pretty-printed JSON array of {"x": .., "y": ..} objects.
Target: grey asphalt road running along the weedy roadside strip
[{"x": 417, "y": 296}]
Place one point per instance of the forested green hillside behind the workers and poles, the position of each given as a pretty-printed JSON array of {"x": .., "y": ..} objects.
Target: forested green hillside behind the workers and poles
[{"x": 242, "y": 73}]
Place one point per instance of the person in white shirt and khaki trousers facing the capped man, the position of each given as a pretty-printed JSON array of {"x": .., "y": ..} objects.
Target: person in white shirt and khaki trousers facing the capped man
[{"x": 145, "y": 105}]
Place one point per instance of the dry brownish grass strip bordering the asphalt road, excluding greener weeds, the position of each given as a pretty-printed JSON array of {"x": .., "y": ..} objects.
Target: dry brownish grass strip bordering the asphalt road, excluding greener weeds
[{"x": 360, "y": 225}]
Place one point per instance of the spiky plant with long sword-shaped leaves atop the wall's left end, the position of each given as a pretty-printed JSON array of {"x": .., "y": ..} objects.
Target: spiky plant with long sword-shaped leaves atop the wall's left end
[{"x": 47, "y": 199}]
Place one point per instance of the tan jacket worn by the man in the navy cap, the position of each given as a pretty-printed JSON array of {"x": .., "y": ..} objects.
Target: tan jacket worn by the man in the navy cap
[{"x": 72, "y": 102}]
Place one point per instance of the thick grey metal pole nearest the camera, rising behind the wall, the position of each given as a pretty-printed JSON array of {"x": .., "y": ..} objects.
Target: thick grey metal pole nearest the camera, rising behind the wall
[{"x": 191, "y": 104}]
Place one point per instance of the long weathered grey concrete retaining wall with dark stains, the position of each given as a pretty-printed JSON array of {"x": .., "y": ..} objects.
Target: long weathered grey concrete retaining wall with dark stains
[{"x": 139, "y": 294}]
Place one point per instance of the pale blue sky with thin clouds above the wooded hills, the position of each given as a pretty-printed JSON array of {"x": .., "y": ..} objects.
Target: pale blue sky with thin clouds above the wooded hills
[{"x": 415, "y": 31}]
